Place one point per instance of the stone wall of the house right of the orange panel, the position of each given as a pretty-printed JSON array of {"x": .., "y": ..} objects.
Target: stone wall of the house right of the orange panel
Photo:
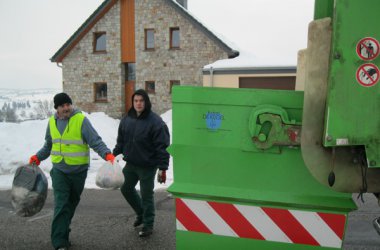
[{"x": 164, "y": 64}]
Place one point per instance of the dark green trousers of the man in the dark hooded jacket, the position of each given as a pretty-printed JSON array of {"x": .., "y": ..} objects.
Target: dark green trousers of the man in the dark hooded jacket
[{"x": 144, "y": 205}]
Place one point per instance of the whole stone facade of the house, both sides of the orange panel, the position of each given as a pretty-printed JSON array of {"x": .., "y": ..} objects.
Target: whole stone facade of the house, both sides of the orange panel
[{"x": 82, "y": 68}]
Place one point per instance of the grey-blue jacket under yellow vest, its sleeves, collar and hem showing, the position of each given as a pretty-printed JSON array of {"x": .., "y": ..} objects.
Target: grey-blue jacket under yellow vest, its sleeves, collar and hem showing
[{"x": 89, "y": 135}]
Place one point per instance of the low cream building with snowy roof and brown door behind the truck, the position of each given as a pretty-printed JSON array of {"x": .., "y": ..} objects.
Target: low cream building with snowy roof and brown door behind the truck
[{"x": 247, "y": 71}]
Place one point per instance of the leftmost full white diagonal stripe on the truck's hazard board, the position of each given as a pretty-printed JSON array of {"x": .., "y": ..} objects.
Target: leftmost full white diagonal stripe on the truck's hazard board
[{"x": 208, "y": 215}]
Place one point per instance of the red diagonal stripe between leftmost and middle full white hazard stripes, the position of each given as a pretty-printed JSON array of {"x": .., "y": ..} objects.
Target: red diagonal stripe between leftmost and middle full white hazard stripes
[{"x": 236, "y": 220}]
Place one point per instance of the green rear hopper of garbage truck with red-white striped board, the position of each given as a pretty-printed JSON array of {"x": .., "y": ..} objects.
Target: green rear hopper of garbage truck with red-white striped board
[{"x": 239, "y": 178}]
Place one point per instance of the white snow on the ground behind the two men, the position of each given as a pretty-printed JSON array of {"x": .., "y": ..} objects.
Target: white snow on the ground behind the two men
[{"x": 21, "y": 140}]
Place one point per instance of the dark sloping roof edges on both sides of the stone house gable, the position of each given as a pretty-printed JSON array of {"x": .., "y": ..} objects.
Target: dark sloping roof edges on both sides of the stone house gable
[{"x": 106, "y": 6}]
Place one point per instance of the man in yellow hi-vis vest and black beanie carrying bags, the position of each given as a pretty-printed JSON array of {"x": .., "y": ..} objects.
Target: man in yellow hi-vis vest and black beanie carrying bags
[{"x": 69, "y": 136}]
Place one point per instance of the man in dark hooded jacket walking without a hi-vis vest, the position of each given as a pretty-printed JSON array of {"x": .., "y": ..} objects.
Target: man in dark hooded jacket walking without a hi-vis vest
[{"x": 142, "y": 139}]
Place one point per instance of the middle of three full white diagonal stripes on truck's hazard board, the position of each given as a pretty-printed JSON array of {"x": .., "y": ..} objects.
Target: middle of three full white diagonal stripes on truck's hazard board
[{"x": 257, "y": 217}]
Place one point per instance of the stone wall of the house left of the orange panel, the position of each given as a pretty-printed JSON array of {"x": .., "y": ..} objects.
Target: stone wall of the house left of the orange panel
[{"x": 82, "y": 68}]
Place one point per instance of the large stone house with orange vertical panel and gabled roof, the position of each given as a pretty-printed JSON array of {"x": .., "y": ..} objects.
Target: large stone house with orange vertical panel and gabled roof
[{"x": 131, "y": 44}]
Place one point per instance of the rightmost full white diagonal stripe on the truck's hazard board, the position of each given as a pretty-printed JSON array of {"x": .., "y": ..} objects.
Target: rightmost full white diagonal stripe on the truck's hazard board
[{"x": 318, "y": 228}]
